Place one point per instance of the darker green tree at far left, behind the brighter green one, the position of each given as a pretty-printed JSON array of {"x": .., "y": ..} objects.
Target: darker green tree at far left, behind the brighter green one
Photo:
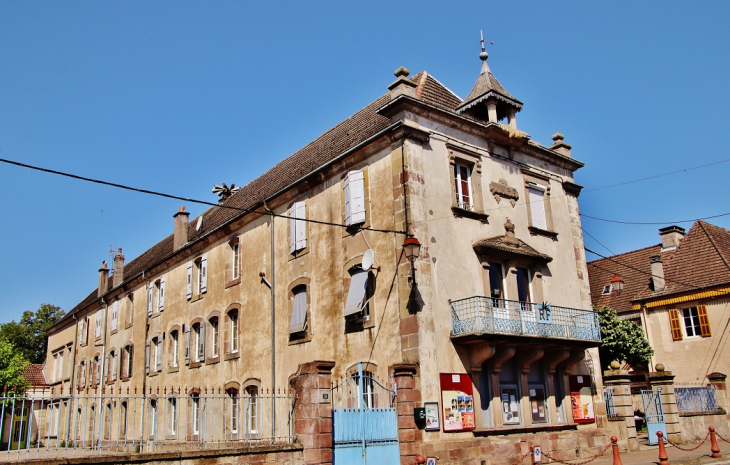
[{"x": 29, "y": 335}]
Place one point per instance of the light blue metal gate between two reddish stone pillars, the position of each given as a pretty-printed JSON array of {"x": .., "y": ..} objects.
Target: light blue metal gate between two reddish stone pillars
[{"x": 365, "y": 421}]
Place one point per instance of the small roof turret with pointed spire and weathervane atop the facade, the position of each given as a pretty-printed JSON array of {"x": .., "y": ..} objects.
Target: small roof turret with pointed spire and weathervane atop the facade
[{"x": 488, "y": 100}]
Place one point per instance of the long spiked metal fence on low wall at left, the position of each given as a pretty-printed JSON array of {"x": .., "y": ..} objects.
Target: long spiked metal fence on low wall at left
[{"x": 48, "y": 425}]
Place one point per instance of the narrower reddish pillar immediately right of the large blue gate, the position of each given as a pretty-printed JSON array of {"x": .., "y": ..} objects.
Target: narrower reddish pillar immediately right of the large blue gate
[{"x": 411, "y": 438}]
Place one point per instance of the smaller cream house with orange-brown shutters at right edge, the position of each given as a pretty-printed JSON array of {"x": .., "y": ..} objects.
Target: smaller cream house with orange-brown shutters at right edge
[{"x": 677, "y": 291}]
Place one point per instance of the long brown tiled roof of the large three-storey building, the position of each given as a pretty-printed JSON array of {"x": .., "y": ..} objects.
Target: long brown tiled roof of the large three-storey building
[{"x": 347, "y": 134}]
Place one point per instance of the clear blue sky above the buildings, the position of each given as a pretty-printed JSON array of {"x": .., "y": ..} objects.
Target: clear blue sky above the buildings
[{"x": 179, "y": 96}]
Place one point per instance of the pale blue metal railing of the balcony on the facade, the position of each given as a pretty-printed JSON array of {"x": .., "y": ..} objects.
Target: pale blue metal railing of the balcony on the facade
[{"x": 476, "y": 316}]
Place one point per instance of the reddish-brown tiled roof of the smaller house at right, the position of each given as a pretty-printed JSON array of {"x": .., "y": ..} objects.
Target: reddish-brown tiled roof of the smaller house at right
[{"x": 701, "y": 260}]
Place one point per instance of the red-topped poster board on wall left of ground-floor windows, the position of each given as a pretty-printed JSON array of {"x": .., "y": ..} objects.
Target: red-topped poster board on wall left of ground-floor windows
[{"x": 457, "y": 402}]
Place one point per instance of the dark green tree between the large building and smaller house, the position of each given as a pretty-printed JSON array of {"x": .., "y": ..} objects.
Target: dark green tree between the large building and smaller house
[{"x": 622, "y": 340}]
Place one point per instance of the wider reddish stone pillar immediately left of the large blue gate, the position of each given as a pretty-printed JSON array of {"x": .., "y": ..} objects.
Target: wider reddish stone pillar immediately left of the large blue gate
[{"x": 312, "y": 385}]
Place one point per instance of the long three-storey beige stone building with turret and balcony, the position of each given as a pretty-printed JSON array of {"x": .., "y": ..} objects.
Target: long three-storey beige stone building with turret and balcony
[{"x": 500, "y": 307}]
